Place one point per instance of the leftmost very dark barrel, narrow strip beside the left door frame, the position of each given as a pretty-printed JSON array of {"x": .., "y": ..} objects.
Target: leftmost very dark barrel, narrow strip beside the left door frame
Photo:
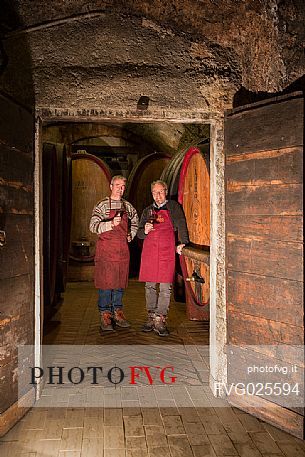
[{"x": 50, "y": 225}]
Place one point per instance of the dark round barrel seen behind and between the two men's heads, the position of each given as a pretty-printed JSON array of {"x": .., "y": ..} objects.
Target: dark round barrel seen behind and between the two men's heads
[{"x": 148, "y": 169}]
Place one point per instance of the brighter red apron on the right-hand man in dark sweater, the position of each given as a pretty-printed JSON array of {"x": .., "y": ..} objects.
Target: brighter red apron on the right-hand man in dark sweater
[{"x": 158, "y": 254}]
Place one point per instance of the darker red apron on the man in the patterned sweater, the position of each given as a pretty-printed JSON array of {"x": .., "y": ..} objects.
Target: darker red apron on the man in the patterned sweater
[{"x": 112, "y": 256}]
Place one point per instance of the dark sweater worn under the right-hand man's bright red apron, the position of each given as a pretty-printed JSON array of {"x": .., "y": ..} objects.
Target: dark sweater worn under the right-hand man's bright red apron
[{"x": 177, "y": 216}]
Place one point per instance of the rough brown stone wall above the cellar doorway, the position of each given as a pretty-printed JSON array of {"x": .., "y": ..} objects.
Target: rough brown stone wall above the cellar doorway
[{"x": 181, "y": 53}]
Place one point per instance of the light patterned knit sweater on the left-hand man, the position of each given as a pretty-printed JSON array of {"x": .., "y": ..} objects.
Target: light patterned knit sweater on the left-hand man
[{"x": 100, "y": 223}]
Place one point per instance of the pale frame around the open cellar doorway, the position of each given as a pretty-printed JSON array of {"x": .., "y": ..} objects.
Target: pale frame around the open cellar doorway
[{"x": 218, "y": 327}]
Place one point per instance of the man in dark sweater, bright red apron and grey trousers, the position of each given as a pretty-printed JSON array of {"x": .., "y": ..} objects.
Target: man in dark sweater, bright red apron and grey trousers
[{"x": 158, "y": 225}]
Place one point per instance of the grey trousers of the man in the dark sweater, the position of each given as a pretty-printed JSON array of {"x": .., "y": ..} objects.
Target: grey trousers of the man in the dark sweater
[{"x": 158, "y": 302}]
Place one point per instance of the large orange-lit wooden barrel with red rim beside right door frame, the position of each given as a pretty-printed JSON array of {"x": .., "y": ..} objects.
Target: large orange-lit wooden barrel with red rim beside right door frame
[{"x": 194, "y": 196}]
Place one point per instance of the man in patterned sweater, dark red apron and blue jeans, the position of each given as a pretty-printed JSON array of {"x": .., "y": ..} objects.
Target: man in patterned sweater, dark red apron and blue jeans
[{"x": 116, "y": 222}]
